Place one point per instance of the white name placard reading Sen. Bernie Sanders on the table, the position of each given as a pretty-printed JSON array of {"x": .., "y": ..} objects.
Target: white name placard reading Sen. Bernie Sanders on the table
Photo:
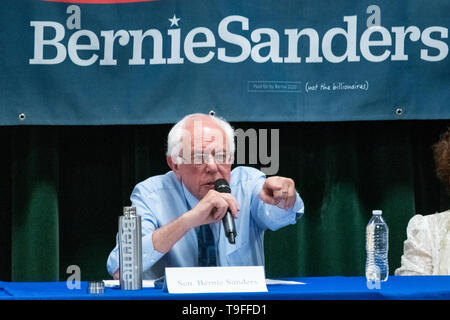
[{"x": 215, "y": 279}]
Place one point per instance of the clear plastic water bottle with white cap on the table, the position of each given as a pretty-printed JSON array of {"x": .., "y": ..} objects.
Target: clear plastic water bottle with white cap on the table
[{"x": 377, "y": 247}]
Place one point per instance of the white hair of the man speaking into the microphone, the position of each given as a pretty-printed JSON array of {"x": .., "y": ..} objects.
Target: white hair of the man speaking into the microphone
[{"x": 175, "y": 137}]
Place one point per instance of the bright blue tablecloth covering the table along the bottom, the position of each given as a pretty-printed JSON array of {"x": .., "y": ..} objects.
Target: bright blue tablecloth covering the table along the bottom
[{"x": 317, "y": 288}]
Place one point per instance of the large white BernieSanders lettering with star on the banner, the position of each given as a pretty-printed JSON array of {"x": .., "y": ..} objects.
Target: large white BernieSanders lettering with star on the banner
[{"x": 199, "y": 45}]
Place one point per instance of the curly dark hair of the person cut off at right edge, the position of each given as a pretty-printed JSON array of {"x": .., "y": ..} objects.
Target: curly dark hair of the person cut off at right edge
[{"x": 441, "y": 152}]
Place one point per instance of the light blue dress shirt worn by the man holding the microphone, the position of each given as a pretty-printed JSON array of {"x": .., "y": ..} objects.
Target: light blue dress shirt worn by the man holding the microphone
[{"x": 162, "y": 199}]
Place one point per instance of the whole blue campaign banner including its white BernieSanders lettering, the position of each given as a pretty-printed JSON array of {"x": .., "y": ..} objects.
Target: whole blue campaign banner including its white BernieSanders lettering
[{"x": 113, "y": 62}]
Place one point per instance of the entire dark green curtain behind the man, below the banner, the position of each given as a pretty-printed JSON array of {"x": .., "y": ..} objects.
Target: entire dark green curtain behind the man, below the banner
[{"x": 64, "y": 187}]
